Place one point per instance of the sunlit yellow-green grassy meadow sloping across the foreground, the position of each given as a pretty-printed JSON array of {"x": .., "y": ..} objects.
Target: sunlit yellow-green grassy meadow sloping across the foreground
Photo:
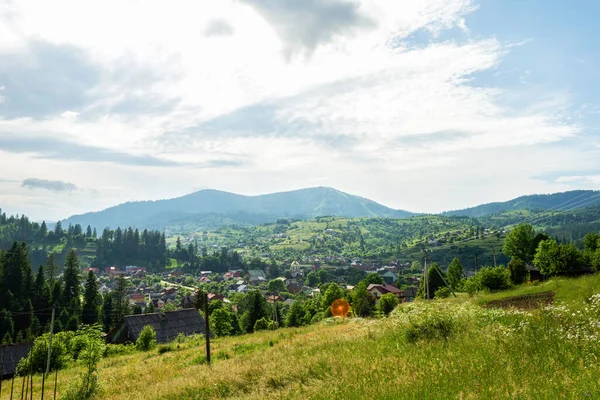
[{"x": 447, "y": 349}]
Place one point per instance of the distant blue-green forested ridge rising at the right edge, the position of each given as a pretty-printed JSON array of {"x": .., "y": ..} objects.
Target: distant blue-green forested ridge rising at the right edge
[{"x": 557, "y": 201}]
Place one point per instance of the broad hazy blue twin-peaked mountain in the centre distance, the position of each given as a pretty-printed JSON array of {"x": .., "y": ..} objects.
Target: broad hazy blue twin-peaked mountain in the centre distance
[{"x": 213, "y": 208}]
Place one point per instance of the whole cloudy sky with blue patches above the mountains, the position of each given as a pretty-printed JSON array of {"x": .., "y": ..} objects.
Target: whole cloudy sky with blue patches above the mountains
[{"x": 422, "y": 105}]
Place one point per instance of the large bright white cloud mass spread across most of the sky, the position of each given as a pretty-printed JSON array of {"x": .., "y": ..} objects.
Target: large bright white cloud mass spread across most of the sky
[{"x": 359, "y": 109}]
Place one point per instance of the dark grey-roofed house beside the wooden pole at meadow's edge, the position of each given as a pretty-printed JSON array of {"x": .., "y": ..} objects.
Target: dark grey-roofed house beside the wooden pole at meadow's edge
[{"x": 167, "y": 325}]
